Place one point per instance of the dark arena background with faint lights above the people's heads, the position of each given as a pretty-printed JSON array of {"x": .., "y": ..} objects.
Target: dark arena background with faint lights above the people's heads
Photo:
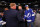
[{"x": 34, "y": 4}]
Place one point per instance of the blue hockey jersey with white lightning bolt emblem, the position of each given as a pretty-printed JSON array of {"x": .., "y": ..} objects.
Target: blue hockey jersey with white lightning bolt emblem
[{"x": 29, "y": 15}]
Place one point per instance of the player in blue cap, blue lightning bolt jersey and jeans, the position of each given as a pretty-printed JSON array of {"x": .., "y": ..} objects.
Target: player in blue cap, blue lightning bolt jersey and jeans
[{"x": 29, "y": 16}]
